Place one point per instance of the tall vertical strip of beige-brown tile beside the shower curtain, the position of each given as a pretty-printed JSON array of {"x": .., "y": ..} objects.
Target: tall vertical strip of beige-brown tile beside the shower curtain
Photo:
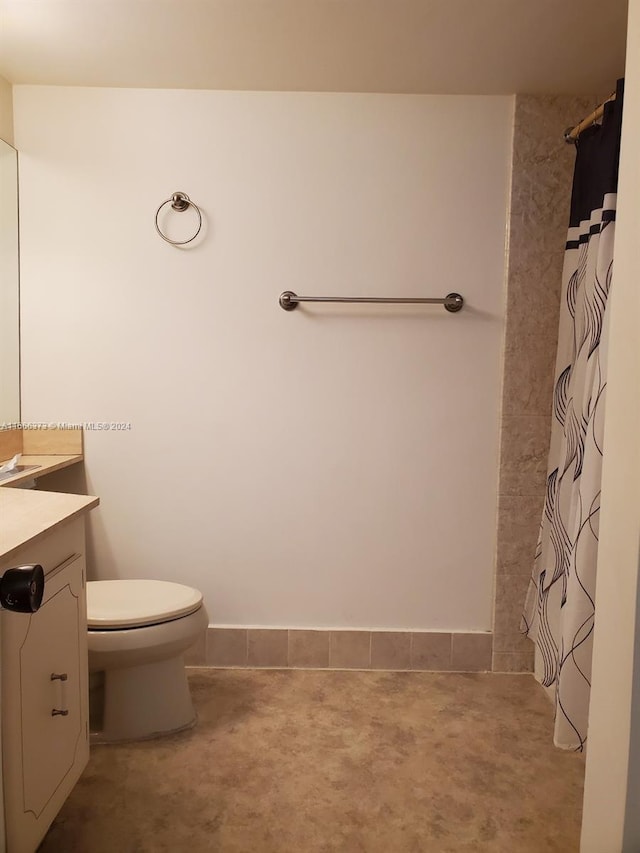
[{"x": 540, "y": 199}]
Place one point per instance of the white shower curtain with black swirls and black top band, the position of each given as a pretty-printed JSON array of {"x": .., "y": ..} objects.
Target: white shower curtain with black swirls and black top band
[{"x": 560, "y": 606}]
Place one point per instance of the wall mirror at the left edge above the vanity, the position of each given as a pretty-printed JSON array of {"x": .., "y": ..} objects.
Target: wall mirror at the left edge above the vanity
[{"x": 9, "y": 288}]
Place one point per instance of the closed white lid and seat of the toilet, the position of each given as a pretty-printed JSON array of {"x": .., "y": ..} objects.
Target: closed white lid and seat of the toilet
[{"x": 134, "y": 603}]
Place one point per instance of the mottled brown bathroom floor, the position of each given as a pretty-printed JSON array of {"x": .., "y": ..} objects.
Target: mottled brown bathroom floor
[{"x": 315, "y": 761}]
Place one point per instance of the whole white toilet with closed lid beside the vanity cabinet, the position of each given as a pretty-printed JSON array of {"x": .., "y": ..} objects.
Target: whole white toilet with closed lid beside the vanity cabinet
[{"x": 138, "y": 633}]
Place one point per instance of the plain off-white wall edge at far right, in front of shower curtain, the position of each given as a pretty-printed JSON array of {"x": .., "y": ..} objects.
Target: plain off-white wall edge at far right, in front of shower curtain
[{"x": 611, "y": 819}]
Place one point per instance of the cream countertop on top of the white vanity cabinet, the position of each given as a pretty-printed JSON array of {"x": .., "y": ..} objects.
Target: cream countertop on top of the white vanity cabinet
[{"x": 28, "y": 515}]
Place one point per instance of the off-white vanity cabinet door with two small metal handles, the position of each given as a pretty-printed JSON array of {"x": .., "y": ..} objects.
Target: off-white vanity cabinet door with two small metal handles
[{"x": 45, "y": 725}]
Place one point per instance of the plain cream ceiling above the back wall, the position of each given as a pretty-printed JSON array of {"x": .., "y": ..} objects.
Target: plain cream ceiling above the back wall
[{"x": 413, "y": 46}]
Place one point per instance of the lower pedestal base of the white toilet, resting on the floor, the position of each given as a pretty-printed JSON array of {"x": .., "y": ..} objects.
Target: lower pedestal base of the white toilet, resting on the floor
[{"x": 145, "y": 701}]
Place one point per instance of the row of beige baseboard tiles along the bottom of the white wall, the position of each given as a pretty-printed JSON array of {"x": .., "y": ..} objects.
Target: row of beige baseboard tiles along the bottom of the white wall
[{"x": 308, "y": 649}]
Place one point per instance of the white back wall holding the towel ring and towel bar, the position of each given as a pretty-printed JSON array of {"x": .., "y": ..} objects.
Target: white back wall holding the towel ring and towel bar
[{"x": 331, "y": 467}]
